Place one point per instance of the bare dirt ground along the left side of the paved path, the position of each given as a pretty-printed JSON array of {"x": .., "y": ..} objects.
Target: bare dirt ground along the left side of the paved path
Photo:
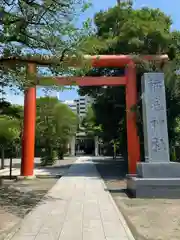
[{"x": 18, "y": 198}]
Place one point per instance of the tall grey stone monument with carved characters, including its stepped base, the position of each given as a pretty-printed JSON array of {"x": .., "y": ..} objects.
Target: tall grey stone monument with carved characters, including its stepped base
[{"x": 157, "y": 176}]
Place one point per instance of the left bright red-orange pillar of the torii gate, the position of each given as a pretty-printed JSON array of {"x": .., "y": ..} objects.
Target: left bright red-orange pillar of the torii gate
[{"x": 28, "y": 141}]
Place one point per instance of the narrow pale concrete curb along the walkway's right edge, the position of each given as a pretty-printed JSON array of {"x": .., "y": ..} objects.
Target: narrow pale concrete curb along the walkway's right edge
[{"x": 120, "y": 215}]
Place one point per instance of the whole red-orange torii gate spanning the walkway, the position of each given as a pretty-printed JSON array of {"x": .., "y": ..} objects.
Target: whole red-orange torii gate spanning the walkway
[{"x": 129, "y": 81}]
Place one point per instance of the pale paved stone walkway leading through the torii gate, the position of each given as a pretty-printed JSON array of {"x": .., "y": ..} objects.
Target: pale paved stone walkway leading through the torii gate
[{"x": 76, "y": 208}]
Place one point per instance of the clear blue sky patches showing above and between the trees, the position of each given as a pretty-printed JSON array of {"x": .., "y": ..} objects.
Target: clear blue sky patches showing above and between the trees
[{"x": 171, "y": 8}]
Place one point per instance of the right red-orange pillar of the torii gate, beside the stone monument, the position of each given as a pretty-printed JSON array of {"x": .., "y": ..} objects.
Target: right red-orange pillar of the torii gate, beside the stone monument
[{"x": 133, "y": 142}]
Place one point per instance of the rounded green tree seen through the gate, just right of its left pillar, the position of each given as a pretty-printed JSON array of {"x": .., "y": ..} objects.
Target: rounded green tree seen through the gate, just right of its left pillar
[{"x": 56, "y": 123}]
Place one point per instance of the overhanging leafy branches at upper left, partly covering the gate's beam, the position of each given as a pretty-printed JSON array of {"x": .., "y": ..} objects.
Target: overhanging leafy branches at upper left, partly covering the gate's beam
[{"x": 32, "y": 27}]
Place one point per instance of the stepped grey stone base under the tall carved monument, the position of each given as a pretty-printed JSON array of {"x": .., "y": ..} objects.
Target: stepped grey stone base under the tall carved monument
[{"x": 155, "y": 180}]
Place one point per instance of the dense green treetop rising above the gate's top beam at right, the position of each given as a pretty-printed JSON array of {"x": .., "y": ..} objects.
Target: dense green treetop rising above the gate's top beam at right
[{"x": 126, "y": 30}]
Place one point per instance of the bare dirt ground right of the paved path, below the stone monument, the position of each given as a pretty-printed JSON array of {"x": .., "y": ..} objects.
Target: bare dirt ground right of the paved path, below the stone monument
[{"x": 149, "y": 219}]
